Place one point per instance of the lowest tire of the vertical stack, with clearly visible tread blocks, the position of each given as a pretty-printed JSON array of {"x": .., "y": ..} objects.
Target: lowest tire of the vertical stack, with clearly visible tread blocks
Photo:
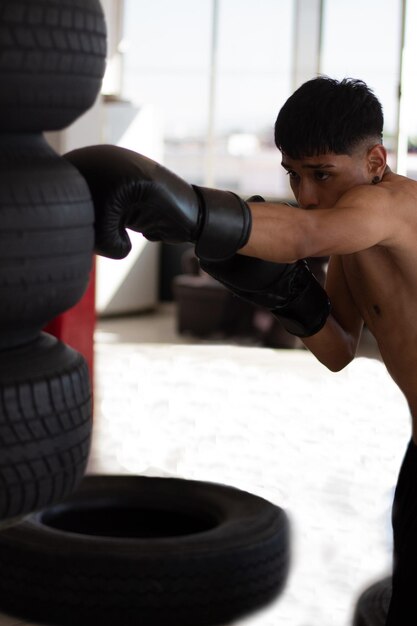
[{"x": 45, "y": 425}]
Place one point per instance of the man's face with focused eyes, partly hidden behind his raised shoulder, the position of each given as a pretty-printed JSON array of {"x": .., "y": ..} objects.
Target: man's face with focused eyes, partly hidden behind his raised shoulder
[{"x": 319, "y": 181}]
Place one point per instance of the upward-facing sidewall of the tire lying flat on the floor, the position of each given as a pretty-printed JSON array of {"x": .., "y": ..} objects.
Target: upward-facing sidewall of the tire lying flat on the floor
[{"x": 240, "y": 516}]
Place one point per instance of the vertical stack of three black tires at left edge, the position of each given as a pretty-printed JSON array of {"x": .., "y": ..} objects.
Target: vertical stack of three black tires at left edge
[{"x": 52, "y": 60}]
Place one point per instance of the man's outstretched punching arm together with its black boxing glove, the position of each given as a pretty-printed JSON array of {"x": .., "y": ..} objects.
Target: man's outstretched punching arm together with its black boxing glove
[{"x": 132, "y": 191}]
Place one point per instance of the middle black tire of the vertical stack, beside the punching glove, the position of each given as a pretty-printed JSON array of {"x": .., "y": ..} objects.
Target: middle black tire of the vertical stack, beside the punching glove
[{"x": 46, "y": 236}]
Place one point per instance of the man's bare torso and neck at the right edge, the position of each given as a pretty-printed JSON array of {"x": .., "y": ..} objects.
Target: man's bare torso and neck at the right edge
[{"x": 383, "y": 283}]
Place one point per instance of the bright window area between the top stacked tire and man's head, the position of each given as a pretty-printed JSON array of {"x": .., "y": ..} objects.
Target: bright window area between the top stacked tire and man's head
[{"x": 167, "y": 63}]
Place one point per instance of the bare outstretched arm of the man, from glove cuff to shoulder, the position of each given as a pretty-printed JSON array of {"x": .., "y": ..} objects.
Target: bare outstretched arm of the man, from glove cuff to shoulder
[{"x": 362, "y": 218}]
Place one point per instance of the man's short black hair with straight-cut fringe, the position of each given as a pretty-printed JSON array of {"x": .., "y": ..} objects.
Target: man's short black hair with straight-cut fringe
[{"x": 325, "y": 115}]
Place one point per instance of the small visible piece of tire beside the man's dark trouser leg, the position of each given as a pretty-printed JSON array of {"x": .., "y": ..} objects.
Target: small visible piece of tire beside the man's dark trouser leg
[{"x": 372, "y": 606}]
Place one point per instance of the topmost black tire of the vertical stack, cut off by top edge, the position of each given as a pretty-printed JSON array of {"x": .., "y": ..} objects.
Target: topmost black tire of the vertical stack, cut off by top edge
[{"x": 52, "y": 61}]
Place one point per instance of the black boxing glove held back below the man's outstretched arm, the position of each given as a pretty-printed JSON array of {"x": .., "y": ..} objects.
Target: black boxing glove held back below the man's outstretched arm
[{"x": 289, "y": 290}]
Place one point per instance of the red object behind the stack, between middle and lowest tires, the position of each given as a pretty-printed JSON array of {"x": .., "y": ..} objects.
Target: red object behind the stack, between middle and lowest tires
[{"x": 75, "y": 327}]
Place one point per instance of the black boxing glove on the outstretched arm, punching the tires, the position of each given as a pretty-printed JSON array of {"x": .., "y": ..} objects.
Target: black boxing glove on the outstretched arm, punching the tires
[{"x": 131, "y": 191}]
